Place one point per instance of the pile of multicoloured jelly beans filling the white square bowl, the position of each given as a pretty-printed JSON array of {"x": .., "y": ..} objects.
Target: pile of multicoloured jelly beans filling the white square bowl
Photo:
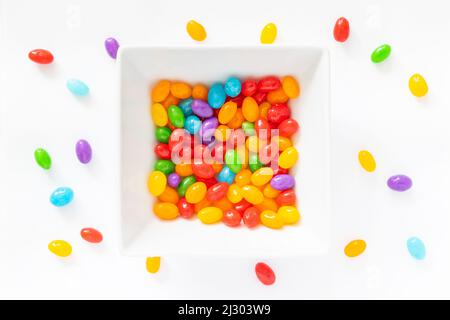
[{"x": 224, "y": 152}]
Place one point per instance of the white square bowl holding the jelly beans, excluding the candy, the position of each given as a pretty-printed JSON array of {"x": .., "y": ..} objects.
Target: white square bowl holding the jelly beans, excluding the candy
[{"x": 141, "y": 232}]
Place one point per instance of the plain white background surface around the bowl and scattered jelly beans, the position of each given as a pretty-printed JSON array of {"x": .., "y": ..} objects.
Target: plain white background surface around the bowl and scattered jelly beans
[{"x": 371, "y": 109}]
